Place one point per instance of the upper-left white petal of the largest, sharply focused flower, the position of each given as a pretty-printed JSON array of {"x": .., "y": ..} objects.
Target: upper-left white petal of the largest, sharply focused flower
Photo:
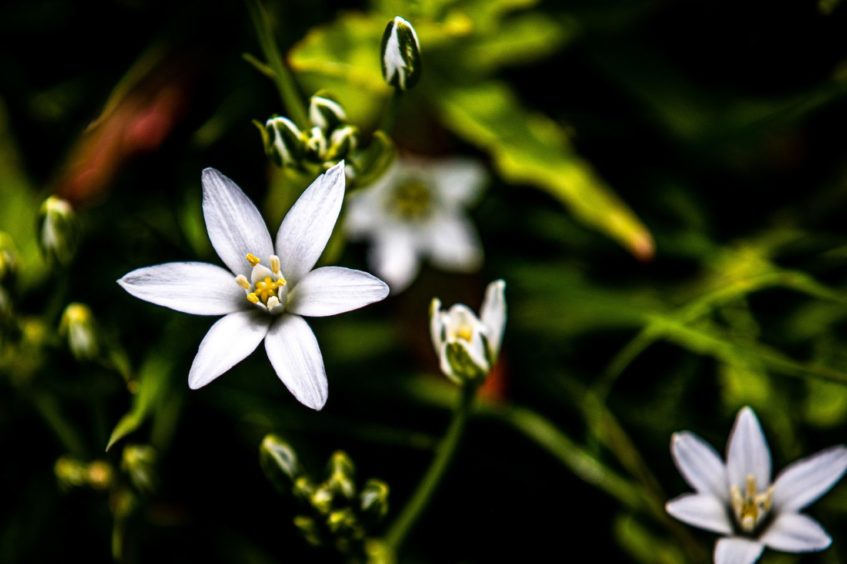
[{"x": 234, "y": 224}]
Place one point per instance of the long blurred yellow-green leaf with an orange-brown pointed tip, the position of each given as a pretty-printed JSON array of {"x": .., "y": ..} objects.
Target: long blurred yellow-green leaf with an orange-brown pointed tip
[{"x": 532, "y": 149}]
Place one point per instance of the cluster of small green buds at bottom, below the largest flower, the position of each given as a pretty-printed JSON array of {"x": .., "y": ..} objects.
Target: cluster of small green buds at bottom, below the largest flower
[{"x": 333, "y": 513}]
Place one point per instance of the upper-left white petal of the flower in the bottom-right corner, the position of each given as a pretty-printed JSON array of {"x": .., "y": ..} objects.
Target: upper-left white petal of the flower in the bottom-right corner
[{"x": 700, "y": 465}]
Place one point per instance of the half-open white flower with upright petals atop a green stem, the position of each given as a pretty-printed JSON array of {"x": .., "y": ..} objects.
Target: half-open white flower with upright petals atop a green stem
[{"x": 467, "y": 346}]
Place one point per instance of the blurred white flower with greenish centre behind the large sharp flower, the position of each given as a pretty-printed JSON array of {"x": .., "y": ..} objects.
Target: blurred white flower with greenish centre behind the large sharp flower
[{"x": 417, "y": 209}]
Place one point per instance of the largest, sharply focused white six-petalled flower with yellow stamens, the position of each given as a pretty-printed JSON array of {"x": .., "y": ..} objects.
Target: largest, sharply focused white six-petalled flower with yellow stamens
[{"x": 267, "y": 287}]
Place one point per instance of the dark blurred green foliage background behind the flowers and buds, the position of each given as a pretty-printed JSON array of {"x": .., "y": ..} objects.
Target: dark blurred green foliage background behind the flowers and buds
[{"x": 666, "y": 202}]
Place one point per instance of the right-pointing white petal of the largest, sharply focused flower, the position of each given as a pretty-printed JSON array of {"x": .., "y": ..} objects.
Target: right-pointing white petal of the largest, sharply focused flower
[{"x": 331, "y": 290}]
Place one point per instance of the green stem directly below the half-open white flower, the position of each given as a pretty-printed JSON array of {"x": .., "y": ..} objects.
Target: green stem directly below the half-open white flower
[{"x": 417, "y": 504}]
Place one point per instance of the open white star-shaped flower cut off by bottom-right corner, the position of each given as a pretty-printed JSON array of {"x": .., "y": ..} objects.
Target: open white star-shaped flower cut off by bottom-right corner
[{"x": 738, "y": 499}]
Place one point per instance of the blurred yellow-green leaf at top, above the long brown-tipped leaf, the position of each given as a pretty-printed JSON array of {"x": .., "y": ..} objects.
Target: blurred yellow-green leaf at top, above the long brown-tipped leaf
[{"x": 519, "y": 39}]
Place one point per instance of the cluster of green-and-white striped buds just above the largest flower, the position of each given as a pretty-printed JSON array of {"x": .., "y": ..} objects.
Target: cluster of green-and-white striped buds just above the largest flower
[{"x": 328, "y": 139}]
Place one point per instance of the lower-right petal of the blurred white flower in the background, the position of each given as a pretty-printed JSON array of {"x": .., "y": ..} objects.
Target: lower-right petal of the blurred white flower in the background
[{"x": 454, "y": 244}]
